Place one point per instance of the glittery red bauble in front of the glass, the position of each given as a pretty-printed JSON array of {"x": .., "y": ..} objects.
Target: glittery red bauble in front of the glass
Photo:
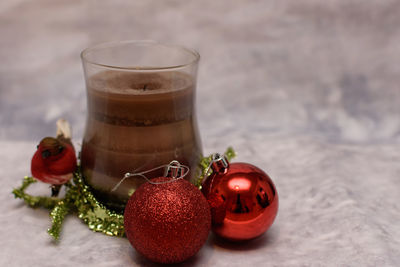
[{"x": 167, "y": 222}]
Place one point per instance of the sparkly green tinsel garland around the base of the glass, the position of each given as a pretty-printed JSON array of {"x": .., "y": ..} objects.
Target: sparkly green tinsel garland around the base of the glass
[{"x": 79, "y": 199}]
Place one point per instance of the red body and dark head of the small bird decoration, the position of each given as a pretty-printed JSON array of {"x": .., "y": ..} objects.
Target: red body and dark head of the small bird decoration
[{"x": 54, "y": 161}]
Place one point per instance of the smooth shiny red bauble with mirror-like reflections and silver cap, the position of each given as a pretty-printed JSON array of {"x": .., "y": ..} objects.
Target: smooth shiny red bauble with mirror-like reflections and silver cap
[{"x": 244, "y": 196}]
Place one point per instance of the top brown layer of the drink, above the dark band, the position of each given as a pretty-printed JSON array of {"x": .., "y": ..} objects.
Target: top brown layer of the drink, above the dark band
[{"x": 140, "y": 99}]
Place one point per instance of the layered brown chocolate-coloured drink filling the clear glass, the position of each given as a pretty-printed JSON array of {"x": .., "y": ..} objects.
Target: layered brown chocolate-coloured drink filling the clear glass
[{"x": 137, "y": 121}]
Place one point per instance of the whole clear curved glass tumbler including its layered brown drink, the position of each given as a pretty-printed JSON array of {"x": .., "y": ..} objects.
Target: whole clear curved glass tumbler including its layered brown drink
[{"x": 140, "y": 114}]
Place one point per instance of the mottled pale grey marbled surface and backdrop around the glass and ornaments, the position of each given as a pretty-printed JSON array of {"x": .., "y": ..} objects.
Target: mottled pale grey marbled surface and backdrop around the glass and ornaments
[{"x": 306, "y": 90}]
